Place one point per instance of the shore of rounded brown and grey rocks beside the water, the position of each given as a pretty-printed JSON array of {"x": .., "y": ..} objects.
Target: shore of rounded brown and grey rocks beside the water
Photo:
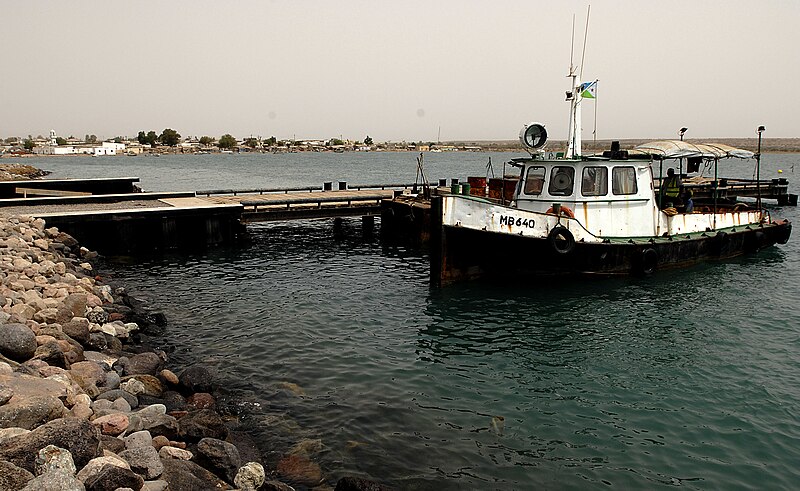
[{"x": 85, "y": 404}]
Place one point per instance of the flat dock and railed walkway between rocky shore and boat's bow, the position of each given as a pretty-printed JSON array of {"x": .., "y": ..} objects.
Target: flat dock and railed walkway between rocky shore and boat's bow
[{"x": 135, "y": 222}]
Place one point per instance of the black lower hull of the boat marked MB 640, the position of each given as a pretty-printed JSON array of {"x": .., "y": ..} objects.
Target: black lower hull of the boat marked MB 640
[{"x": 459, "y": 253}]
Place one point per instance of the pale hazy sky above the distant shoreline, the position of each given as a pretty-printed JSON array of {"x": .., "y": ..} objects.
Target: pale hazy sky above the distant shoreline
[{"x": 397, "y": 70}]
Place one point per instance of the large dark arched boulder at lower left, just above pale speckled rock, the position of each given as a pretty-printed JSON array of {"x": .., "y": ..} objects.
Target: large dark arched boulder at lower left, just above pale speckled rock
[{"x": 79, "y": 437}]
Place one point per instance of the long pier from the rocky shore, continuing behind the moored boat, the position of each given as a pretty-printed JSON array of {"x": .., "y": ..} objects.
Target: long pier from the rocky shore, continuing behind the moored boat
[{"x": 113, "y": 216}]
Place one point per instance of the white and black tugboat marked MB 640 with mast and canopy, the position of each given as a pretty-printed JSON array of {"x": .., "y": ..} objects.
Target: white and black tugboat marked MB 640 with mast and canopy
[{"x": 595, "y": 215}]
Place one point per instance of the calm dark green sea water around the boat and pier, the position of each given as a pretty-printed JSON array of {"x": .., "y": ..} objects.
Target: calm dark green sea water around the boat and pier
[{"x": 687, "y": 378}]
